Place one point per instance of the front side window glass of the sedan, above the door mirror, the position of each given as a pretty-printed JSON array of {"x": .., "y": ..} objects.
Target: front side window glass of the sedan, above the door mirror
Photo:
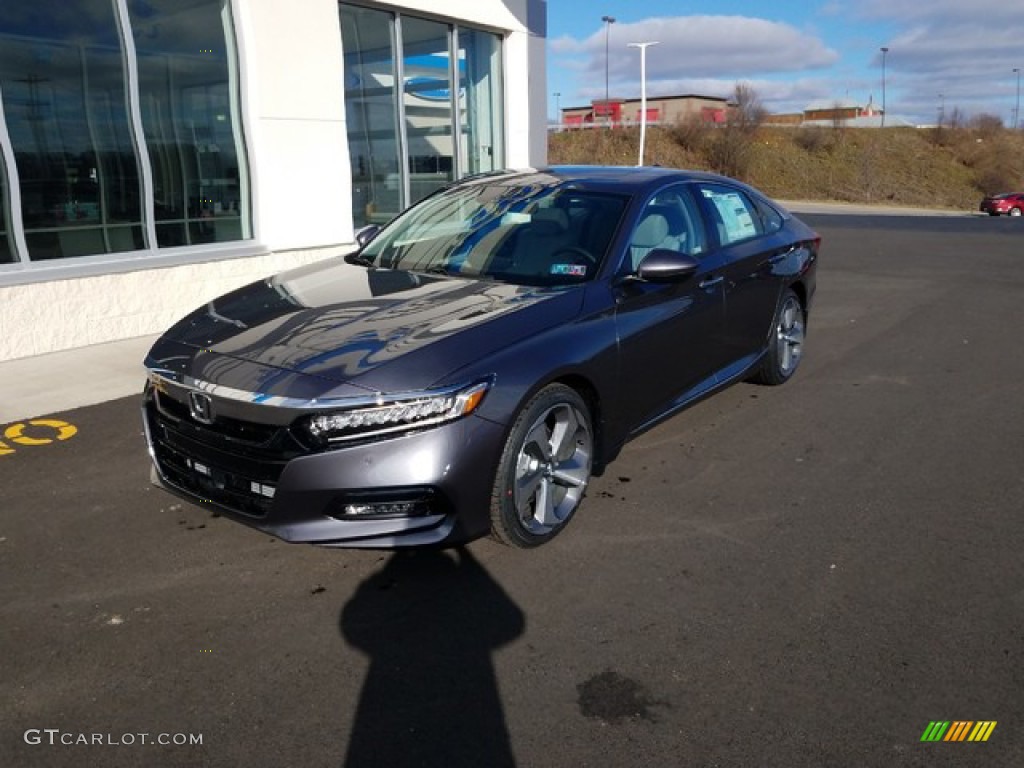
[{"x": 670, "y": 221}]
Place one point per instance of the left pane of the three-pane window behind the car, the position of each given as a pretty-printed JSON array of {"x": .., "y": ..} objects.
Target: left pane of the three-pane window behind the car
[{"x": 372, "y": 114}]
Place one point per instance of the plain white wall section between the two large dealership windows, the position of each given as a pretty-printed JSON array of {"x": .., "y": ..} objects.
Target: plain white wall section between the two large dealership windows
[{"x": 296, "y": 116}]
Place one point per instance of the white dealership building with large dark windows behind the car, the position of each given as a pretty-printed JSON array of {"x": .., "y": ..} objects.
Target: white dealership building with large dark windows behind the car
[{"x": 155, "y": 154}]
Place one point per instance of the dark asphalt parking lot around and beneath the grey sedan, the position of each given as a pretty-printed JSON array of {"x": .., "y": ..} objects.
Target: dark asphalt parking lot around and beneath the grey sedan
[{"x": 803, "y": 576}]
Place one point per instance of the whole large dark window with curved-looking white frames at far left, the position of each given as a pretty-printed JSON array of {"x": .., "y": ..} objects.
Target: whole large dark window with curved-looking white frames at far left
[{"x": 68, "y": 83}]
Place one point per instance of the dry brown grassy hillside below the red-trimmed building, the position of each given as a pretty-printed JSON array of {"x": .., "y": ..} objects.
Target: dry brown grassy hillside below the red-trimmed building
[{"x": 940, "y": 168}]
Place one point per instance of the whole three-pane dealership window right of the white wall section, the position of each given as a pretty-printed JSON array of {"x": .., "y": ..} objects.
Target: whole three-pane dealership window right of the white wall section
[{"x": 445, "y": 122}]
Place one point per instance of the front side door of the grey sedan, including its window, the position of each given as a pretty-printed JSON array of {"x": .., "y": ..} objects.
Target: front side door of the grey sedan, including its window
[{"x": 670, "y": 334}]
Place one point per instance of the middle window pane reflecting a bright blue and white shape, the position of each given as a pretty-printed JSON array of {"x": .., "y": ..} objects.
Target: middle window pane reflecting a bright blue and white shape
[{"x": 428, "y": 70}]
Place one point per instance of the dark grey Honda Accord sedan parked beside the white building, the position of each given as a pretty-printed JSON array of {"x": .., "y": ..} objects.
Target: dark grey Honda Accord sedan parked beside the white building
[{"x": 473, "y": 366}]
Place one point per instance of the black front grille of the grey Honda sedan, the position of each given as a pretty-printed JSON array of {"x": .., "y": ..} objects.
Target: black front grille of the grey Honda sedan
[{"x": 236, "y": 464}]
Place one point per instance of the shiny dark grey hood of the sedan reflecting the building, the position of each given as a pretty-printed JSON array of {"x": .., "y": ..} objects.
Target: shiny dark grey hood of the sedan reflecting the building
[{"x": 378, "y": 330}]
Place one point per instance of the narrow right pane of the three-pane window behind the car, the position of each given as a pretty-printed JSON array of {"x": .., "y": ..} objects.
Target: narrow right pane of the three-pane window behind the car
[{"x": 481, "y": 101}]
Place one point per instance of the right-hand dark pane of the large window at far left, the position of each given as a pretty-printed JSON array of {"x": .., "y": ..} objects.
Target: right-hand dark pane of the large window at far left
[{"x": 187, "y": 73}]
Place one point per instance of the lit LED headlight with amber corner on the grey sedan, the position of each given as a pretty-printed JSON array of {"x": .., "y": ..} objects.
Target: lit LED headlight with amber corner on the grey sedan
[{"x": 398, "y": 414}]
